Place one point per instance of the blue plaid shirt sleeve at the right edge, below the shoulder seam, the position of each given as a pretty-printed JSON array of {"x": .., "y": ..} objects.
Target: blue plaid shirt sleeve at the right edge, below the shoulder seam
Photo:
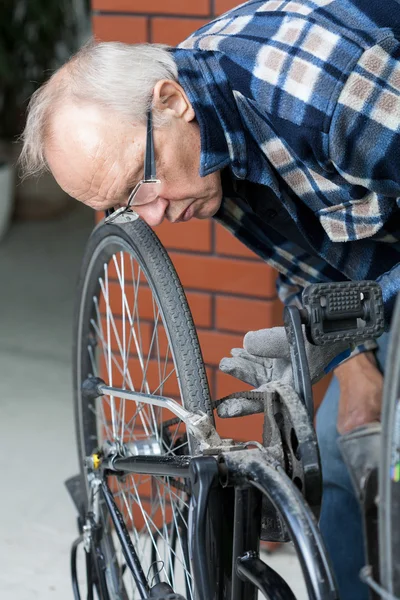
[{"x": 364, "y": 143}]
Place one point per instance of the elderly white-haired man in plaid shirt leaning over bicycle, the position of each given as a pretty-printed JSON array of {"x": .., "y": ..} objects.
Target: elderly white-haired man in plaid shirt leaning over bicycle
[{"x": 287, "y": 109}]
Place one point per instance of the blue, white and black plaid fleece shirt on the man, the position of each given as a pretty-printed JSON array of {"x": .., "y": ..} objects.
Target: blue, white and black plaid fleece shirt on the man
[{"x": 303, "y": 97}]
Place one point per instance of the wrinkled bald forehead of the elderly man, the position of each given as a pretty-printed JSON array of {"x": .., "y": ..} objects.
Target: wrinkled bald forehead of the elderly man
[{"x": 93, "y": 154}]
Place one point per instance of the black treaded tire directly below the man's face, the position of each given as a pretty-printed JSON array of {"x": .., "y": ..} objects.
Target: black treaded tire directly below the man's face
[{"x": 141, "y": 242}]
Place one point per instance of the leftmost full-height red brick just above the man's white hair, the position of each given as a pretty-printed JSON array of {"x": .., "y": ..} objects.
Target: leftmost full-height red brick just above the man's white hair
[{"x": 131, "y": 30}]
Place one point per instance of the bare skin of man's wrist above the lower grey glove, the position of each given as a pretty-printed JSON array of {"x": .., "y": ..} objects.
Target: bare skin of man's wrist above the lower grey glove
[{"x": 361, "y": 387}]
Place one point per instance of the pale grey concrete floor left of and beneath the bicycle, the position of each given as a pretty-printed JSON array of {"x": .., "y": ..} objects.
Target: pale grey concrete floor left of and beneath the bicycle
[{"x": 39, "y": 262}]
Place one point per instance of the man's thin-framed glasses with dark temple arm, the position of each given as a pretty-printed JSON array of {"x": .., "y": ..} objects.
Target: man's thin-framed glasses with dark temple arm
[{"x": 147, "y": 190}]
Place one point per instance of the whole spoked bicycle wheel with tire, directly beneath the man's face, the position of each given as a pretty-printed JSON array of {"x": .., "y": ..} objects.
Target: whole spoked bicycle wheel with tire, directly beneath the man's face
[{"x": 135, "y": 331}]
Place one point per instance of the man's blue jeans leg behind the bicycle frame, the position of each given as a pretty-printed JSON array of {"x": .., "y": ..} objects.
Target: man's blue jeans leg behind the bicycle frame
[{"x": 340, "y": 521}]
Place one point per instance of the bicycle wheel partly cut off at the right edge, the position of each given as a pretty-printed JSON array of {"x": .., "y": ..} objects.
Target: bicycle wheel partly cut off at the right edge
[{"x": 389, "y": 471}]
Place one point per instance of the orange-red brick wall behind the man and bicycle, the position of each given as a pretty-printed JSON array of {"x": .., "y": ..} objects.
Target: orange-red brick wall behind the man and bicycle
[{"x": 229, "y": 289}]
